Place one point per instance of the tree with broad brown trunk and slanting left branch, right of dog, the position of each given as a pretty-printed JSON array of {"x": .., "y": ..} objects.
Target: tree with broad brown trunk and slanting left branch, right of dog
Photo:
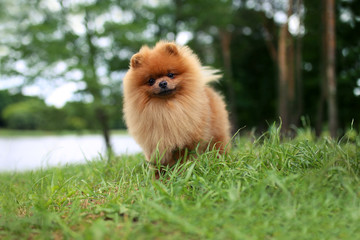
[{"x": 286, "y": 53}]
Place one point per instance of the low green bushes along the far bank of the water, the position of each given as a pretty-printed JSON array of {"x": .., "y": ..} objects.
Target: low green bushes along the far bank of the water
[{"x": 31, "y": 113}]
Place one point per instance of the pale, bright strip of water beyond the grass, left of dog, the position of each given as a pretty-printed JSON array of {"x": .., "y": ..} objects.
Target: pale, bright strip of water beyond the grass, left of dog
[{"x": 25, "y": 153}]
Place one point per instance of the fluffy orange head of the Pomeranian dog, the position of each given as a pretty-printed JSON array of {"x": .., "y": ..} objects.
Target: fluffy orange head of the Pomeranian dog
[{"x": 163, "y": 71}]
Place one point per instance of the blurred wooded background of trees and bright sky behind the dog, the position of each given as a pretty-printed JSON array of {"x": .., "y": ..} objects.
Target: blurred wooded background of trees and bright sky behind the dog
[{"x": 62, "y": 62}]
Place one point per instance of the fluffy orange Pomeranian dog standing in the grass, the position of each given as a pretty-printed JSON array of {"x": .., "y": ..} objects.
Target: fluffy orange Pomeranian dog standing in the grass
[{"x": 168, "y": 107}]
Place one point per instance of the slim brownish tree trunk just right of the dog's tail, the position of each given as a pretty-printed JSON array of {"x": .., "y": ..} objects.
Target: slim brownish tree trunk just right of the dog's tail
[{"x": 225, "y": 37}]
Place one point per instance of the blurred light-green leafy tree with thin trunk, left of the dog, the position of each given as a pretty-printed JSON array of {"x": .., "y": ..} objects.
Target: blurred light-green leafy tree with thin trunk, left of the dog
[{"x": 86, "y": 51}]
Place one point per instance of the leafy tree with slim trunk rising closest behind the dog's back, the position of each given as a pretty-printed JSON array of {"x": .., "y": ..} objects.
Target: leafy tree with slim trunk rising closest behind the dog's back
[{"x": 221, "y": 24}]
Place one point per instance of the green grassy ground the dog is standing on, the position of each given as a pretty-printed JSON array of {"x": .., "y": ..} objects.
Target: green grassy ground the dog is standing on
[{"x": 263, "y": 189}]
